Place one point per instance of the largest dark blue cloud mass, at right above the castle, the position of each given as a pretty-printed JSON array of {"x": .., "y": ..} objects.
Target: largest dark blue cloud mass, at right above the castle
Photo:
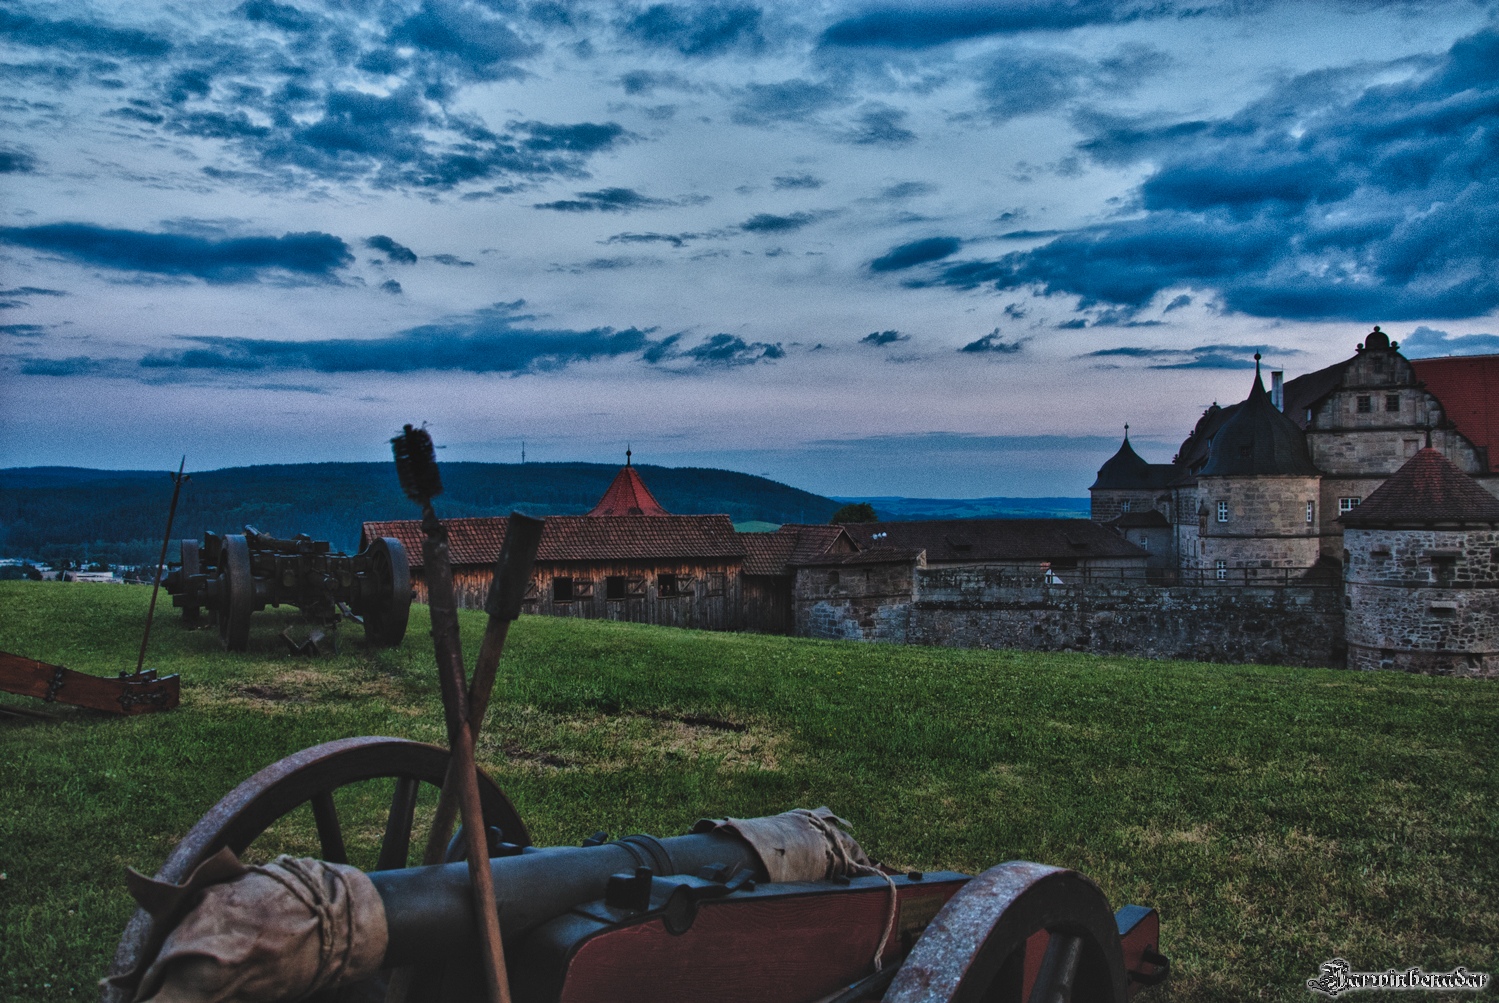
[{"x": 1327, "y": 200}]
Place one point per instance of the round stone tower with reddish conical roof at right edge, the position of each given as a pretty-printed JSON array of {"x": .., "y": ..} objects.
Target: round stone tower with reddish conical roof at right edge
[{"x": 1422, "y": 563}]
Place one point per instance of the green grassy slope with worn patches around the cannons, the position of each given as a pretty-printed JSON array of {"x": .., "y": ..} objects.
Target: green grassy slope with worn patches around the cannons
[{"x": 1278, "y": 818}]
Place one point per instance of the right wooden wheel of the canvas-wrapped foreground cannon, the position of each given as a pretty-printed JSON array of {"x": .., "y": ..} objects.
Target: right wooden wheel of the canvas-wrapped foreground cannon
[{"x": 975, "y": 948}]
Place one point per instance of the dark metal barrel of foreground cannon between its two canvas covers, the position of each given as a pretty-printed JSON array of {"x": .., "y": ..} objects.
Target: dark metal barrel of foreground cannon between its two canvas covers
[{"x": 429, "y": 911}]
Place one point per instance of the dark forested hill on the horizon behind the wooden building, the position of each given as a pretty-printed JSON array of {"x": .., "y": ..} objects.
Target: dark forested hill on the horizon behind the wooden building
[{"x": 55, "y": 512}]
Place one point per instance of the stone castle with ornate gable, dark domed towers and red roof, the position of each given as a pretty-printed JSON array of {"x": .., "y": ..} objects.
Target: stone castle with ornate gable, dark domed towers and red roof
[{"x": 1258, "y": 490}]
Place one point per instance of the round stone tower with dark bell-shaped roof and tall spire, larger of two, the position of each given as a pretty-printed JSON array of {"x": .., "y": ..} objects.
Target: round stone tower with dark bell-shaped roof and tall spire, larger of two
[{"x": 1257, "y": 494}]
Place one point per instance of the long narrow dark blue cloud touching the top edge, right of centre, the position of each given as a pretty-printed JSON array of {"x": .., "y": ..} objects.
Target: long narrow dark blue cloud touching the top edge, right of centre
[{"x": 918, "y": 26}]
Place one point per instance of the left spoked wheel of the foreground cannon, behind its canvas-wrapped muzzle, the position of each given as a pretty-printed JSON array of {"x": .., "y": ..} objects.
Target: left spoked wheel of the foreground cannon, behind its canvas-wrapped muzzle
[{"x": 311, "y": 777}]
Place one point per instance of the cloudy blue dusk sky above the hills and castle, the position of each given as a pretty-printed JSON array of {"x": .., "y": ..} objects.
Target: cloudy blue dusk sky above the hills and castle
[{"x": 864, "y": 248}]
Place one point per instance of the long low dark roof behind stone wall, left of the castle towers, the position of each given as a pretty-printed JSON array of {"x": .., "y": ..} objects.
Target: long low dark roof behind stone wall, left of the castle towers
[{"x": 996, "y": 540}]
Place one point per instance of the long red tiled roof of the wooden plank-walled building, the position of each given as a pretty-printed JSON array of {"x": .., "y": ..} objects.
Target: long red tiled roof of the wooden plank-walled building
[{"x": 477, "y": 540}]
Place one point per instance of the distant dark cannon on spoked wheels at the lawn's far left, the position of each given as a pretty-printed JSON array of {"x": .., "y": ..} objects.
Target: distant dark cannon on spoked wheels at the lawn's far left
[{"x": 236, "y": 575}]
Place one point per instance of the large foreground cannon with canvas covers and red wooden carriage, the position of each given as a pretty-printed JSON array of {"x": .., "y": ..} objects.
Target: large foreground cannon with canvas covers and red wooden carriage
[{"x": 707, "y": 915}]
